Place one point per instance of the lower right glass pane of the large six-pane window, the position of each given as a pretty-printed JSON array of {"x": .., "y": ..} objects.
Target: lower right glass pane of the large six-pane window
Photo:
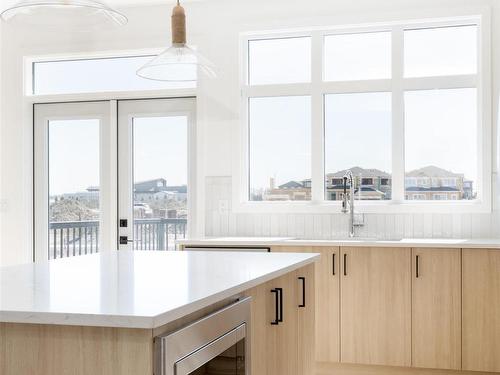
[{"x": 441, "y": 144}]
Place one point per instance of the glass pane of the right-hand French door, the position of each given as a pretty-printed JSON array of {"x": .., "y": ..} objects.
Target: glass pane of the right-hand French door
[{"x": 160, "y": 170}]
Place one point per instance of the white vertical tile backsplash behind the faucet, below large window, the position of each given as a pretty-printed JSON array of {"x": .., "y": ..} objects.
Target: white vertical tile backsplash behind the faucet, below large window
[{"x": 325, "y": 226}]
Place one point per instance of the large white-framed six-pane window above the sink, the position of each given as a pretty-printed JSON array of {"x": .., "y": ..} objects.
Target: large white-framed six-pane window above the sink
[{"x": 399, "y": 105}]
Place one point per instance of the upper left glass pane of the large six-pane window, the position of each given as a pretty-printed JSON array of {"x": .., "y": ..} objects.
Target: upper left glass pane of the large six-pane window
[{"x": 273, "y": 61}]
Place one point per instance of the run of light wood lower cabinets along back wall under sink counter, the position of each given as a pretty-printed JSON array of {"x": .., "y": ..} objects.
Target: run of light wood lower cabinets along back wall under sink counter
[{"x": 372, "y": 309}]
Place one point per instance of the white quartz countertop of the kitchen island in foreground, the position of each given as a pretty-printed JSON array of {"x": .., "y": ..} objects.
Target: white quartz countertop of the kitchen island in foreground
[{"x": 133, "y": 289}]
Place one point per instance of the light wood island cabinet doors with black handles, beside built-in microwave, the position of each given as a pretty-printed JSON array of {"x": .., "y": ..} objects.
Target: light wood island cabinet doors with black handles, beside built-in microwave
[{"x": 286, "y": 348}]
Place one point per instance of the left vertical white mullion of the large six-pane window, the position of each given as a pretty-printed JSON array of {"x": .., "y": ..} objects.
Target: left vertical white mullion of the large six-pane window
[{"x": 317, "y": 131}]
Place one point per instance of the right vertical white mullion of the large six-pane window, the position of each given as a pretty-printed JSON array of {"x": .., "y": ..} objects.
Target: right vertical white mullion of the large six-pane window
[{"x": 398, "y": 139}]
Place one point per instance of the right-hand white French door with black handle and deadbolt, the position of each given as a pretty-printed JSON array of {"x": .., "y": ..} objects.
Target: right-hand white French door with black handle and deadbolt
[{"x": 156, "y": 172}]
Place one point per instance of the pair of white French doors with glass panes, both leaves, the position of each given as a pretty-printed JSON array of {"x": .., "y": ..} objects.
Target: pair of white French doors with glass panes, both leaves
[{"x": 111, "y": 170}]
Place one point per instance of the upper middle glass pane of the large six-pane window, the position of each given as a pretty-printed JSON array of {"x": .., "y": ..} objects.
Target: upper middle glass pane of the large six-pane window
[{"x": 350, "y": 57}]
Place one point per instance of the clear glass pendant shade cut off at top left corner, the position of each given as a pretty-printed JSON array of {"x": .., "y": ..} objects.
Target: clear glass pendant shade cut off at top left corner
[{"x": 78, "y": 15}]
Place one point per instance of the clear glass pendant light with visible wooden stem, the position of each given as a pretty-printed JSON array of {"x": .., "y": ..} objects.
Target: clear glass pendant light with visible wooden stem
[{"x": 179, "y": 63}]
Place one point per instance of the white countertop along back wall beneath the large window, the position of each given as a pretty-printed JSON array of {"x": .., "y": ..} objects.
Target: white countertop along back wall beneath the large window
[{"x": 285, "y": 241}]
